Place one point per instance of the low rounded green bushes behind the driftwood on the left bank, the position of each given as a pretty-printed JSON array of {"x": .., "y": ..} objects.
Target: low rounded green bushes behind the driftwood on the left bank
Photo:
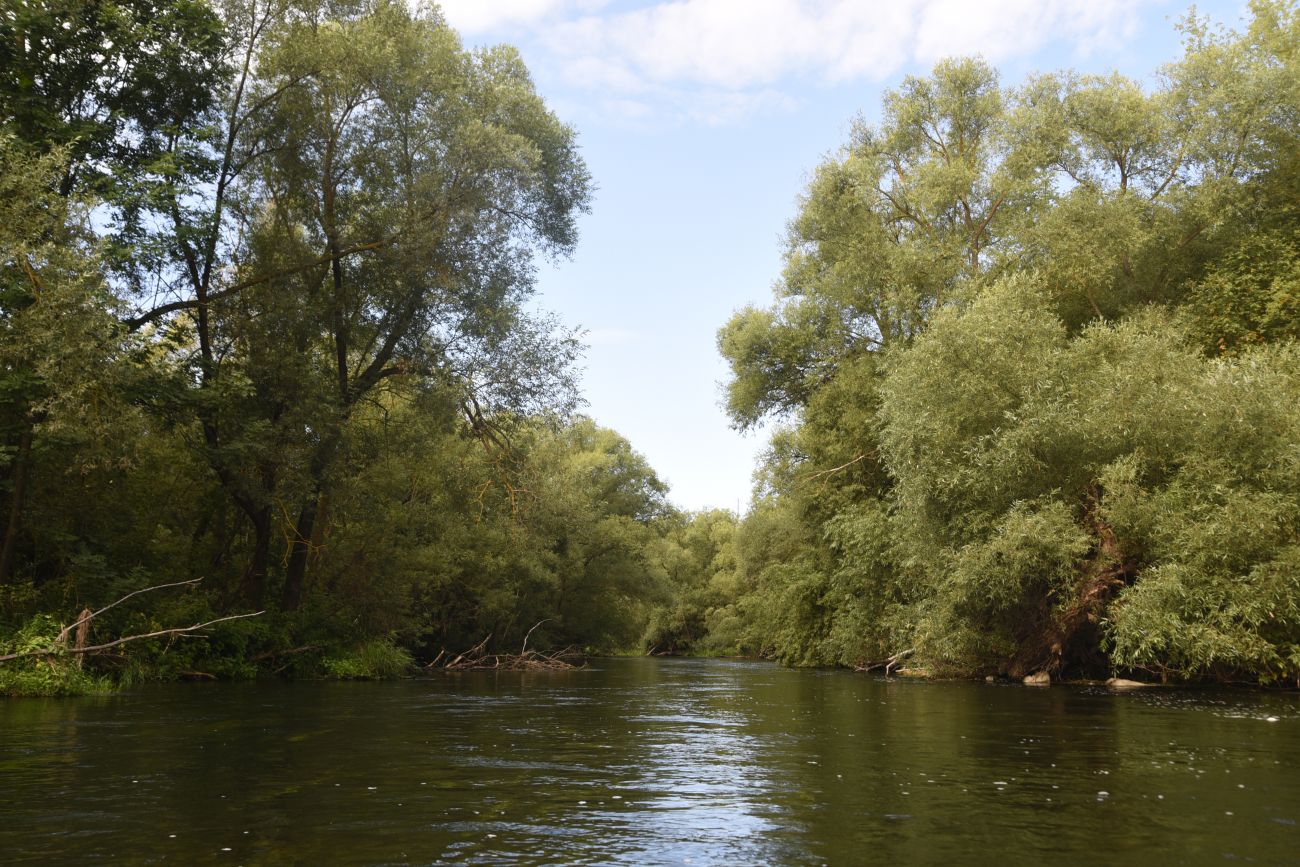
[{"x": 444, "y": 543}]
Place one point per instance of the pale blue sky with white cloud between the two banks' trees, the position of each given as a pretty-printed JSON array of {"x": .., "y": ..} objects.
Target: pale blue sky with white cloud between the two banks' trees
[{"x": 701, "y": 123}]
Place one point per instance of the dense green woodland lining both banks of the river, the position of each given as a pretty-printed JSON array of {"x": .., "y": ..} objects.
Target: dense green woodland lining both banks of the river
[{"x": 270, "y": 350}]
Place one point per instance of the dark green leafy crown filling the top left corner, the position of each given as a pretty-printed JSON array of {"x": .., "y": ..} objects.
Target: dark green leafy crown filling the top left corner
[{"x": 118, "y": 88}]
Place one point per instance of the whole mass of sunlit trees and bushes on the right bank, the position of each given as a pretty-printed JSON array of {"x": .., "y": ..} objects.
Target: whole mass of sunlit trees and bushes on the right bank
[{"x": 1035, "y": 353}]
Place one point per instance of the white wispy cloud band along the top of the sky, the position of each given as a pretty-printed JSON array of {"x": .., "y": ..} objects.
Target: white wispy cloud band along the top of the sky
[{"x": 717, "y": 60}]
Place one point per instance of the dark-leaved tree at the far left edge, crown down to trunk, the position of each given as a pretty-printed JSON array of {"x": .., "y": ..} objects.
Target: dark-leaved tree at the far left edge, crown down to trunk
[{"x": 92, "y": 98}]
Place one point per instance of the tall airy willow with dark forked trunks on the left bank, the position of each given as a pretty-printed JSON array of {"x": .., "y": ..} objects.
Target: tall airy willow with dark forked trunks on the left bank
[{"x": 375, "y": 206}]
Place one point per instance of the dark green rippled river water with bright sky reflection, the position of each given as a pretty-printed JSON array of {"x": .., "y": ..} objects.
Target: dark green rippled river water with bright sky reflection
[{"x": 647, "y": 762}]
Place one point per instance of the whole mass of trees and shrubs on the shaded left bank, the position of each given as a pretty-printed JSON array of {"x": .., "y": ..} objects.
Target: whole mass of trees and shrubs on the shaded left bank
[{"x": 340, "y": 409}]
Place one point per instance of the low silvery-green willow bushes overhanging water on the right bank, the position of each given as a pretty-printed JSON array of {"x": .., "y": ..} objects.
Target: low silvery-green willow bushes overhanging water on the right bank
[{"x": 1120, "y": 449}]
